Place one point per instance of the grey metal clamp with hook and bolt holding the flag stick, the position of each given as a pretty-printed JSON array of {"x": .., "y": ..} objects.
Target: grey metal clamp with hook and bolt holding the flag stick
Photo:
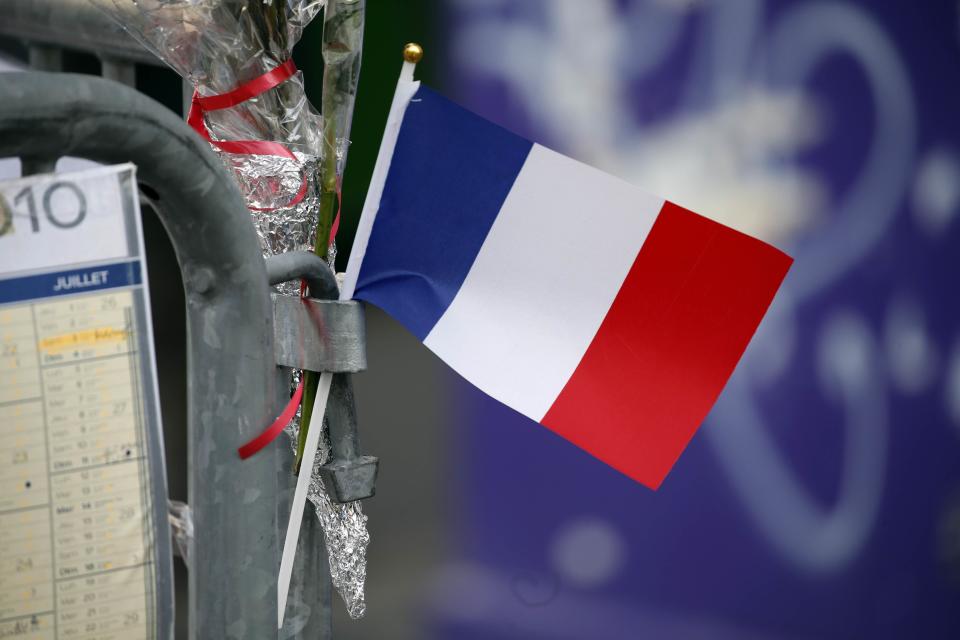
[{"x": 320, "y": 333}]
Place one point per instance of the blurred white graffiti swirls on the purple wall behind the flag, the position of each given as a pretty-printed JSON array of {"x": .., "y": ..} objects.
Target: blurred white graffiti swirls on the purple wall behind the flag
[{"x": 571, "y": 66}]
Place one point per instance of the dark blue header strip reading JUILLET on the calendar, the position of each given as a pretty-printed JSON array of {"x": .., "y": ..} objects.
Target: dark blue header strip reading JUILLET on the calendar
[{"x": 59, "y": 283}]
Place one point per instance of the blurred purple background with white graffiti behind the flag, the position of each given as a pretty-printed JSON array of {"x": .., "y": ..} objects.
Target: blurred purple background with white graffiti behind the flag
[{"x": 821, "y": 498}]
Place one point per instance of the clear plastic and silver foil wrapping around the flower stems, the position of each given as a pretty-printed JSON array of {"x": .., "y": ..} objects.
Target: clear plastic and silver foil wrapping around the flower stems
[{"x": 221, "y": 45}]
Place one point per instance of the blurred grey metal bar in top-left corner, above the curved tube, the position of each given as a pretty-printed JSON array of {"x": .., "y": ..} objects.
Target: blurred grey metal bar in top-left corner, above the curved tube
[{"x": 72, "y": 24}]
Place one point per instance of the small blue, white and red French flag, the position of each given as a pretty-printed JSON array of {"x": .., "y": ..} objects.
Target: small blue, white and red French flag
[{"x": 612, "y": 317}]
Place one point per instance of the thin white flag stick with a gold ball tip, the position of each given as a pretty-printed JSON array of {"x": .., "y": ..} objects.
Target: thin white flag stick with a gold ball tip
[{"x": 406, "y": 88}]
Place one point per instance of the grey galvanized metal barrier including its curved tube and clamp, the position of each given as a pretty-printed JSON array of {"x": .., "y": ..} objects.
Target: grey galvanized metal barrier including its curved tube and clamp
[{"x": 236, "y": 546}]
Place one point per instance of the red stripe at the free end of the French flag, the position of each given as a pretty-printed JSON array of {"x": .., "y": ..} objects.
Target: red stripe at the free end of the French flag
[{"x": 680, "y": 322}]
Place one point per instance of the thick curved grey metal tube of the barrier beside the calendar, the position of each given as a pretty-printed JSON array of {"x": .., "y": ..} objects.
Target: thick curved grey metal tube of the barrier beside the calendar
[{"x": 232, "y": 380}]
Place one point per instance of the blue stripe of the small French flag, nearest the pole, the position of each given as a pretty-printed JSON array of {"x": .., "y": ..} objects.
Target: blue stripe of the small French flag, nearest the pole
[{"x": 450, "y": 174}]
